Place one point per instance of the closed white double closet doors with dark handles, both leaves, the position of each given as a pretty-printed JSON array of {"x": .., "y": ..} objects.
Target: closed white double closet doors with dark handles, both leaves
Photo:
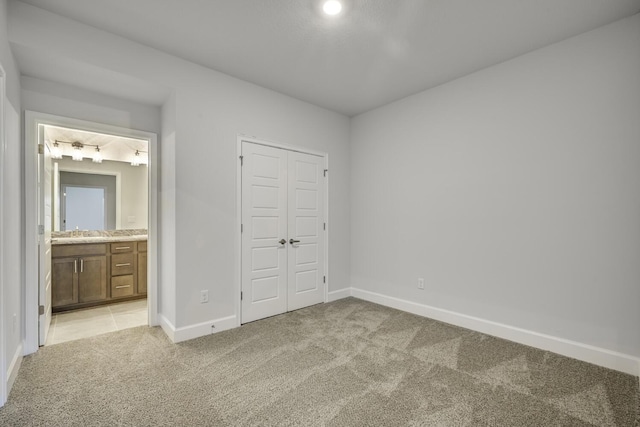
[{"x": 283, "y": 230}]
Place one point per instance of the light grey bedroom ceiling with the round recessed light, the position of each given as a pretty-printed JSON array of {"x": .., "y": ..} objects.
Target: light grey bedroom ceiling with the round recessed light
[{"x": 378, "y": 52}]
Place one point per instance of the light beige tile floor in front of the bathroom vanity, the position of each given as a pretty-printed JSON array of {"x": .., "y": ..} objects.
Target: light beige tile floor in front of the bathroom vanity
[{"x": 89, "y": 322}]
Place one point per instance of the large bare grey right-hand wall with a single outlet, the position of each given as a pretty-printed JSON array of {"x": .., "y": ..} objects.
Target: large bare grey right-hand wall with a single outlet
[{"x": 513, "y": 192}]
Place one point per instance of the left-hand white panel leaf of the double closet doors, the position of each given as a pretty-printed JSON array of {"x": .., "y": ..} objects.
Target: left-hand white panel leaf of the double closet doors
[{"x": 264, "y": 222}]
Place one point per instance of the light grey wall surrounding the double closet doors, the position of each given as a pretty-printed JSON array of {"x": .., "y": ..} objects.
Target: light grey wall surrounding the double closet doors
[{"x": 210, "y": 110}]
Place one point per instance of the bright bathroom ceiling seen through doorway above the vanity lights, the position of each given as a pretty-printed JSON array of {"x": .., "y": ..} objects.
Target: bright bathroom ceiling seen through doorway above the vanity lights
[{"x": 114, "y": 148}]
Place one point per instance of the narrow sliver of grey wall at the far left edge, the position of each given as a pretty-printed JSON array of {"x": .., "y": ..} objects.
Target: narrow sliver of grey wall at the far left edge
[{"x": 12, "y": 240}]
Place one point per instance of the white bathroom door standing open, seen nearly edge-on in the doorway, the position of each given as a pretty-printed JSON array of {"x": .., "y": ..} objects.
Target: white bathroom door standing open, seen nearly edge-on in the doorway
[{"x": 45, "y": 187}]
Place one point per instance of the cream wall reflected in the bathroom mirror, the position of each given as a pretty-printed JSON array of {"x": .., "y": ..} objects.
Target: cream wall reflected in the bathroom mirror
[{"x": 134, "y": 187}]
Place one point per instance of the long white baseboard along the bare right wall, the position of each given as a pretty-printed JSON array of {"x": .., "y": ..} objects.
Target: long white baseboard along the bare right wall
[{"x": 587, "y": 353}]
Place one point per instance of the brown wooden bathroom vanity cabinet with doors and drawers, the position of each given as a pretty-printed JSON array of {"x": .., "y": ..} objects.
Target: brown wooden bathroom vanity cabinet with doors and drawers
[{"x": 90, "y": 274}]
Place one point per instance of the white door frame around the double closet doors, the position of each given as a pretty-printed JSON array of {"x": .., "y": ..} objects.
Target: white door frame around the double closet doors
[{"x": 245, "y": 138}]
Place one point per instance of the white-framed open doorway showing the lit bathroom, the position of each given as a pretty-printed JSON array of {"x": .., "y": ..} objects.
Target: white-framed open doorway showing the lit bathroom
[{"x": 91, "y": 195}]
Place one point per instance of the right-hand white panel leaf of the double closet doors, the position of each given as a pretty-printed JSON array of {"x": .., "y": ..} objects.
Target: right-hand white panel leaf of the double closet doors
[{"x": 306, "y": 224}]
